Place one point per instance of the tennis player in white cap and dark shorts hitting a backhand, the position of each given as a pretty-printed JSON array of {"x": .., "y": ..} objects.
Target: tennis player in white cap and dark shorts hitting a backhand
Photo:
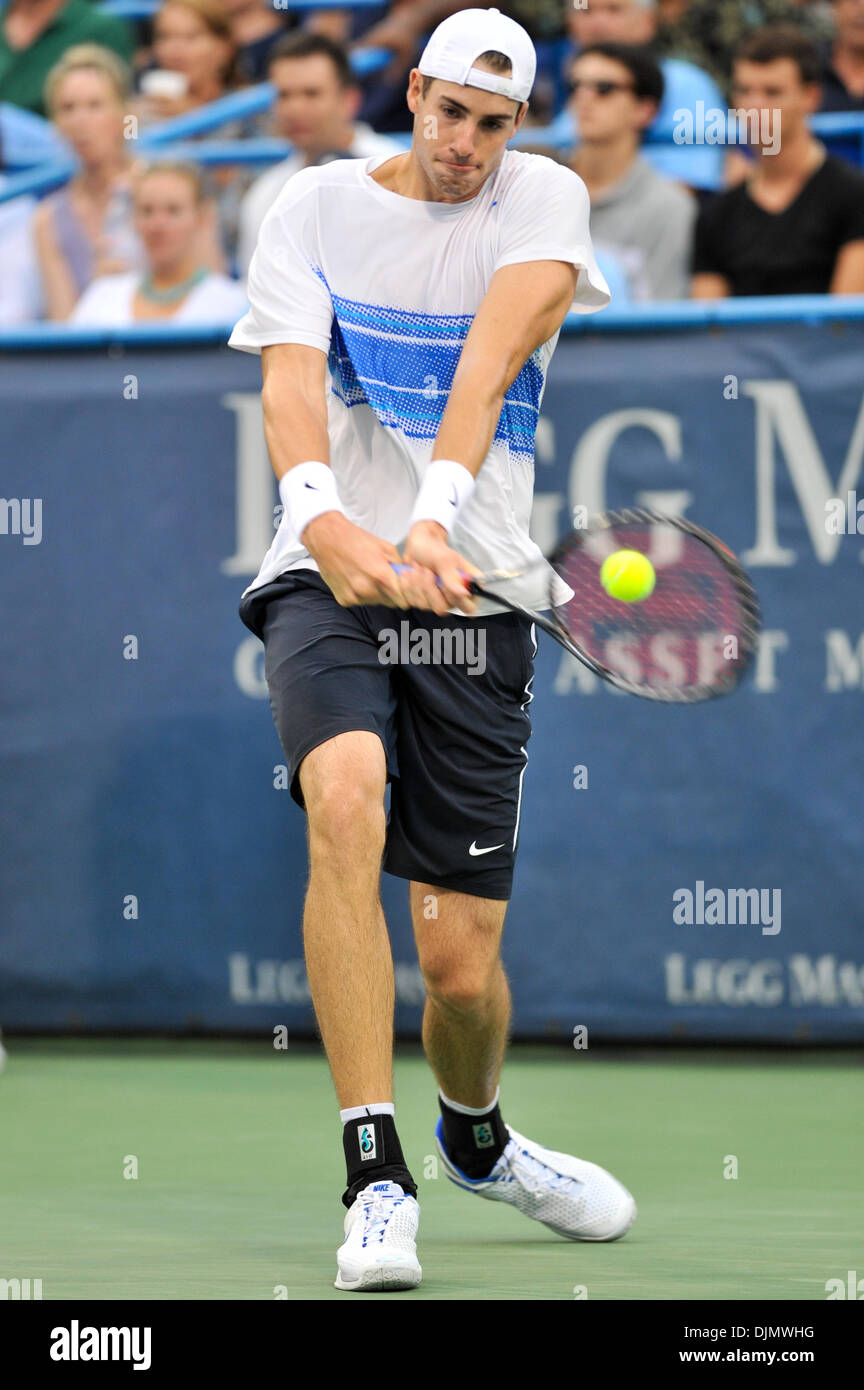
[{"x": 406, "y": 311}]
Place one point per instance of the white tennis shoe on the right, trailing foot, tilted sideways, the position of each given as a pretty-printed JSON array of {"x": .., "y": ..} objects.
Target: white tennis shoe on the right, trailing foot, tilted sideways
[{"x": 573, "y": 1197}]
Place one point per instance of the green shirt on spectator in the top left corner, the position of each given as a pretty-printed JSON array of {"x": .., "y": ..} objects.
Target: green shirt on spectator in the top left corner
[{"x": 23, "y": 72}]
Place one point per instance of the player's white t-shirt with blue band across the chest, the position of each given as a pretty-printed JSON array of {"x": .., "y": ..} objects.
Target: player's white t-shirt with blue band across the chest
[{"x": 388, "y": 287}]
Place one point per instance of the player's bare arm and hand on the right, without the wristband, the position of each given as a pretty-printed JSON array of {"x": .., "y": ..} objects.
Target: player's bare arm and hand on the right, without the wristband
[{"x": 524, "y": 308}]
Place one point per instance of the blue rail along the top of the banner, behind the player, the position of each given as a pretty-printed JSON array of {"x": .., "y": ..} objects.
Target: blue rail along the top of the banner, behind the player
[{"x": 655, "y": 318}]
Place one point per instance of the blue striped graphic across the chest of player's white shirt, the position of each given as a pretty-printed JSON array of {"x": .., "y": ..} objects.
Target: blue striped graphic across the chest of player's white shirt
[{"x": 402, "y": 365}]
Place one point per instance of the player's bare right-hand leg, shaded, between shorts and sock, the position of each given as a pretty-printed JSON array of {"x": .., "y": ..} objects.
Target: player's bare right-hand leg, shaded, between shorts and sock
[{"x": 467, "y": 1013}]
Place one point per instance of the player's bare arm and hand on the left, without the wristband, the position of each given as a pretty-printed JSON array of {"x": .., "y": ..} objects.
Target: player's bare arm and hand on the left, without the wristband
[{"x": 354, "y": 562}]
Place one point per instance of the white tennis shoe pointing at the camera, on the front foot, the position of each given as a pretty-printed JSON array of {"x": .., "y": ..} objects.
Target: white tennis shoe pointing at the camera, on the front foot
[{"x": 380, "y": 1250}]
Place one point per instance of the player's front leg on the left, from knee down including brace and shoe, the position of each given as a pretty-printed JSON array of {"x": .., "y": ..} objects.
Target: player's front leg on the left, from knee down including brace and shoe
[{"x": 351, "y": 975}]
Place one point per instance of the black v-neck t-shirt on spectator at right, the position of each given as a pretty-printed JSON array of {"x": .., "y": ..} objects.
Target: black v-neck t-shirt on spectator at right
[{"x": 783, "y": 254}]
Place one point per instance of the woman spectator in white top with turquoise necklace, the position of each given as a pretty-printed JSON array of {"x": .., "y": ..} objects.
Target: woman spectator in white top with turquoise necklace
[{"x": 176, "y": 286}]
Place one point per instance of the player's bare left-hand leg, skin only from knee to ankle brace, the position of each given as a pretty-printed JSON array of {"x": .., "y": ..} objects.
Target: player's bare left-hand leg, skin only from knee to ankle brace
[{"x": 348, "y": 950}]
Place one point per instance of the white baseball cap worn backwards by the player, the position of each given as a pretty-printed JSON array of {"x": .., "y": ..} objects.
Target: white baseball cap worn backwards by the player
[{"x": 458, "y": 44}]
